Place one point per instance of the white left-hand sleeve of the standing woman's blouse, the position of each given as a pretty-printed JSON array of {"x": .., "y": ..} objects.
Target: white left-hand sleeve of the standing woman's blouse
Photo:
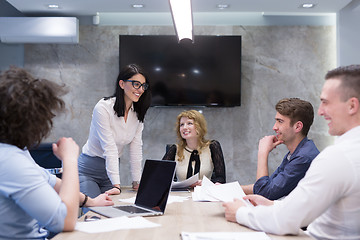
[{"x": 102, "y": 129}]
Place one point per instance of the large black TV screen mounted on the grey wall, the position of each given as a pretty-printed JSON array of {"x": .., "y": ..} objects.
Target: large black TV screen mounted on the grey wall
[{"x": 206, "y": 72}]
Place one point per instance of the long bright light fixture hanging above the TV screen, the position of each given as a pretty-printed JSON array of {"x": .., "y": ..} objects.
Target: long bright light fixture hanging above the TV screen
[{"x": 182, "y": 18}]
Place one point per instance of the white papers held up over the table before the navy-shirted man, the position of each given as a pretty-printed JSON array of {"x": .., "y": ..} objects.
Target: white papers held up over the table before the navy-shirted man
[{"x": 208, "y": 191}]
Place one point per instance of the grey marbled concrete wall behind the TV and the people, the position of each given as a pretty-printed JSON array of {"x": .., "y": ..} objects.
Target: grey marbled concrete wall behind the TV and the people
[{"x": 277, "y": 62}]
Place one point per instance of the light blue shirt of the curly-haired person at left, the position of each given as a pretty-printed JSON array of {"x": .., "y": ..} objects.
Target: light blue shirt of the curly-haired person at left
[{"x": 30, "y": 207}]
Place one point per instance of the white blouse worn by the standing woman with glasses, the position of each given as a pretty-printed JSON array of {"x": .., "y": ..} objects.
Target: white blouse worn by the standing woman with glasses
[{"x": 108, "y": 136}]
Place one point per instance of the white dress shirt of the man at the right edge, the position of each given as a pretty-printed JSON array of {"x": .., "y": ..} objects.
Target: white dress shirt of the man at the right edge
[{"x": 327, "y": 198}]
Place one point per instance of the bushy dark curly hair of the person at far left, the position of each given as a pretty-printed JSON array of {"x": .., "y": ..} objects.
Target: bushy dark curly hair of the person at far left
[{"x": 27, "y": 107}]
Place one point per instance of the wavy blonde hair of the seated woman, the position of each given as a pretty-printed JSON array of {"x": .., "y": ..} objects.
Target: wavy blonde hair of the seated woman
[{"x": 200, "y": 127}]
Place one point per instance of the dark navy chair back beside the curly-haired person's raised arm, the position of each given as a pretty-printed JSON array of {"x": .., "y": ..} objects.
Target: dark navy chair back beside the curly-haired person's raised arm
[{"x": 44, "y": 157}]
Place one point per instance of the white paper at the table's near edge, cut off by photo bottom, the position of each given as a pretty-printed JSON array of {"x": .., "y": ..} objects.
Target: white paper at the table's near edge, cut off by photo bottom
[{"x": 224, "y": 236}]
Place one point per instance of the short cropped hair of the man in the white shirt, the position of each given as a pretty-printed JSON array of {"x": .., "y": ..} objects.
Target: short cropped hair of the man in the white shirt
[{"x": 350, "y": 80}]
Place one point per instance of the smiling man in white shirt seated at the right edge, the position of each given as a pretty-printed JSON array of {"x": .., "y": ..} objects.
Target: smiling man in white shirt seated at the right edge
[{"x": 327, "y": 199}]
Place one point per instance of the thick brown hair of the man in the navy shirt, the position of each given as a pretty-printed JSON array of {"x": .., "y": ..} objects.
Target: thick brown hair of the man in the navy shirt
[{"x": 297, "y": 110}]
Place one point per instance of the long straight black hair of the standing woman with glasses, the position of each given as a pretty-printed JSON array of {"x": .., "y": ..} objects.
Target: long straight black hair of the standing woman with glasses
[{"x": 144, "y": 102}]
